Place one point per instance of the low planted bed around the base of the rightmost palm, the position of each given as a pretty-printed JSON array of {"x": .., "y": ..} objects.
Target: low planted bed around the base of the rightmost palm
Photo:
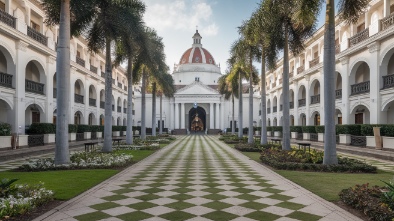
[{"x": 311, "y": 161}]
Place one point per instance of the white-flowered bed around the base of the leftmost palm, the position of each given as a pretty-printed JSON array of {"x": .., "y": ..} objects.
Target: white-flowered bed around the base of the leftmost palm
[{"x": 80, "y": 160}]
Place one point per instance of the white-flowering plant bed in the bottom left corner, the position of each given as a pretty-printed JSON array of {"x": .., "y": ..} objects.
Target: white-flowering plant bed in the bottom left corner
[{"x": 19, "y": 199}]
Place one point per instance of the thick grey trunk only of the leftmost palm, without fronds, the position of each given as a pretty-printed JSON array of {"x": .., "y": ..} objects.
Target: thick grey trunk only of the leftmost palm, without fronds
[{"x": 62, "y": 154}]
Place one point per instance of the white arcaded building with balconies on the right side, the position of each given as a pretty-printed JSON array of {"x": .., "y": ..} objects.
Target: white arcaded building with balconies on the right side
[{"x": 364, "y": 74}]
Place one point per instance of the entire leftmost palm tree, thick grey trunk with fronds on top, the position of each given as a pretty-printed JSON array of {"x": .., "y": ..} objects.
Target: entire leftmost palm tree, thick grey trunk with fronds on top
[{"x": 59, "y": 12}]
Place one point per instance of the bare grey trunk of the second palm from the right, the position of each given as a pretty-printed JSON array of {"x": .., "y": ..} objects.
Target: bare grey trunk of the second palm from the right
[{"x": 286, "y": 104}]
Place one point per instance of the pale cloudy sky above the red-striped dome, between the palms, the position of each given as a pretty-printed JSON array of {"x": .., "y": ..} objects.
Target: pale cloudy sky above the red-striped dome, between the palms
[{"x": 217, "y": 21}]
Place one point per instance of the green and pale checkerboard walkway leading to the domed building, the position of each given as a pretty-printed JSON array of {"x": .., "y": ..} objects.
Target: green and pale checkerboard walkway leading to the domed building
[{"x": 197, "y": 178}]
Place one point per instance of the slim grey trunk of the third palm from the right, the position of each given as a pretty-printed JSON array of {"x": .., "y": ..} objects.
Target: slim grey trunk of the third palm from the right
[{"x": 263, "y": 138}]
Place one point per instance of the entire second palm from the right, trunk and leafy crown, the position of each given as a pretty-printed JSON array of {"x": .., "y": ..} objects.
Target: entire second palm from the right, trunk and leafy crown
[{"x": 296, "y": 20}]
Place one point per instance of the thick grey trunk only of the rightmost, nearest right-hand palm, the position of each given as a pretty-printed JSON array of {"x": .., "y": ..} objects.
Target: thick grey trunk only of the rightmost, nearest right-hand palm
[{"x": 330, "y": 152}]
